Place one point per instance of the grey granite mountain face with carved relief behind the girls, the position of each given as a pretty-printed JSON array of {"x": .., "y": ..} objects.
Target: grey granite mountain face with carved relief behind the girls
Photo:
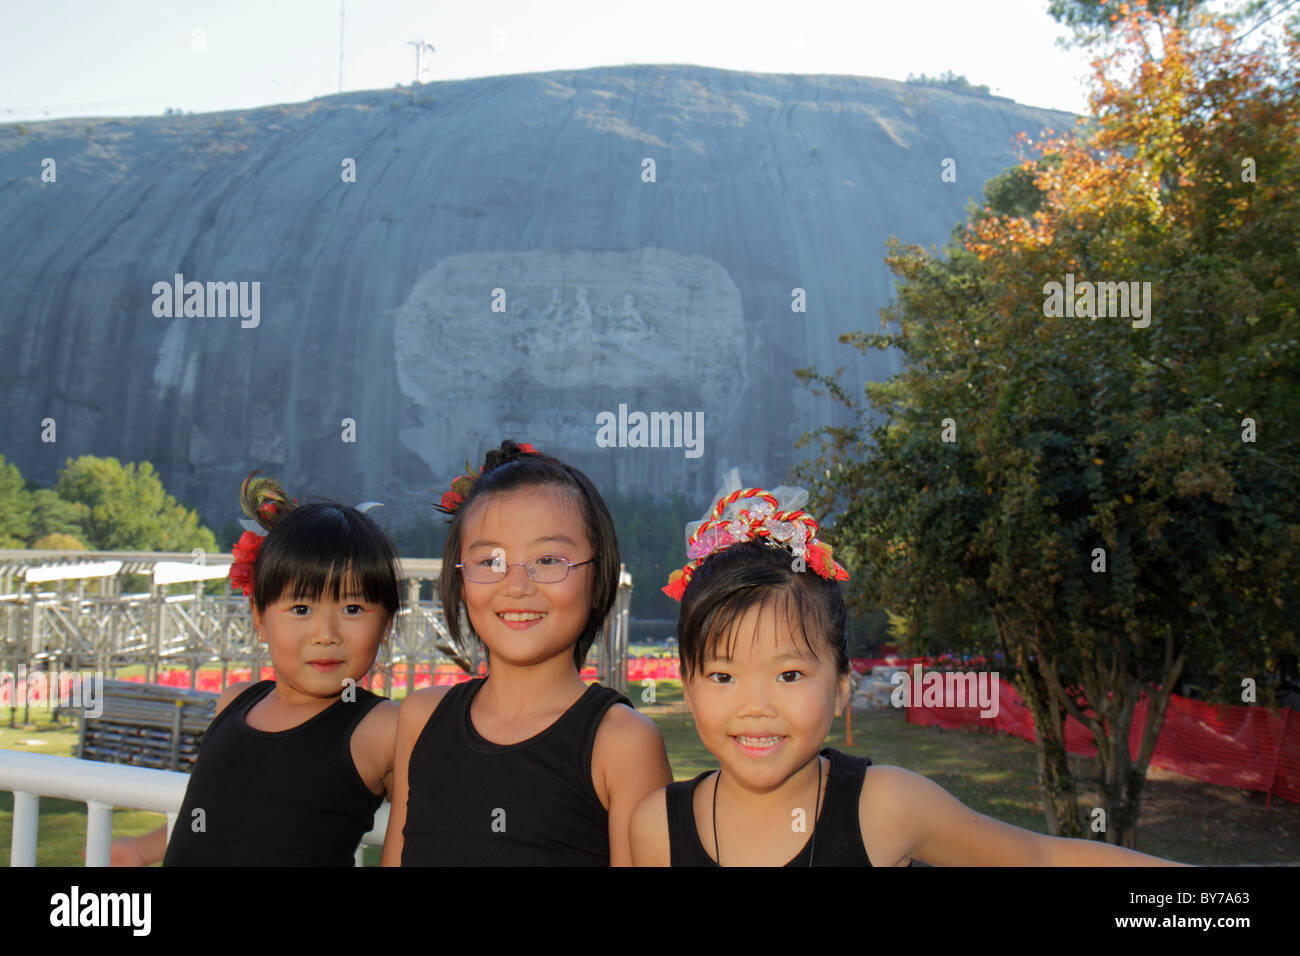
[{"x": 517, "y": 257}]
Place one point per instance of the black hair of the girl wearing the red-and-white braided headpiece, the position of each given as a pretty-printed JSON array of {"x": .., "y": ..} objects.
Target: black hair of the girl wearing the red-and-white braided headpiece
[{"x": 734, "y": 581}]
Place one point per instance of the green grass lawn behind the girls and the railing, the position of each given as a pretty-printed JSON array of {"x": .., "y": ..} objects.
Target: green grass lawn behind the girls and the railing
[{"x": 994, "y": 775}]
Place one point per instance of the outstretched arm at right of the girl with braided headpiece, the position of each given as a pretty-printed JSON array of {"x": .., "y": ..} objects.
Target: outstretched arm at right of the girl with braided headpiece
[{"x": 926, "y": 823}]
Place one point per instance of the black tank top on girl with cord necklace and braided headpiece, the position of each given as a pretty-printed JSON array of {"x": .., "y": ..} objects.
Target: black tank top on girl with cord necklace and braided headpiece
[{"x": 839, "y": 834}]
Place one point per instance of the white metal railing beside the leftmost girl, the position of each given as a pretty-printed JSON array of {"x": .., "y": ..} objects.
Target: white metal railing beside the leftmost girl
[{"x": 102, "y": 788}]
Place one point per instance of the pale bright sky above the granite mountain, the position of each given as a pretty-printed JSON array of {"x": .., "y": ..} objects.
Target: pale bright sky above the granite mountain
[{"x": 138, "y": 58}]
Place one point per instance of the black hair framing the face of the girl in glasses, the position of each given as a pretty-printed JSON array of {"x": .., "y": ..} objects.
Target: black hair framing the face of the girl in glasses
[{"x": 510, "y": 469}]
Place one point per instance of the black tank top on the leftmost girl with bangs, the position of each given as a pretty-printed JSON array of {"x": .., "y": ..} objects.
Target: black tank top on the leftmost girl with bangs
[{"x": 276, "y": 799}]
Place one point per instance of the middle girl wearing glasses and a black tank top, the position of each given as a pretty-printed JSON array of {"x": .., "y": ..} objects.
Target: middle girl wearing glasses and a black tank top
[{"x": 528, "y": 767}]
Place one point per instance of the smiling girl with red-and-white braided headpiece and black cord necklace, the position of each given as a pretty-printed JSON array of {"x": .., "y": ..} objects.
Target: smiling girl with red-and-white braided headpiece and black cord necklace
[{"x": 765, "y": 672}]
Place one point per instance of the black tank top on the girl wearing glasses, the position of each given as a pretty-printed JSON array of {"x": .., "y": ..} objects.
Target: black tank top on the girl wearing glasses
[{"x": 530, "y": 804}]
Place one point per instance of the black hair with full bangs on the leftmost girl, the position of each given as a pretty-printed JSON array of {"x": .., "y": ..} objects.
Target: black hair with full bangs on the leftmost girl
[{"x": 315, "y": 547}]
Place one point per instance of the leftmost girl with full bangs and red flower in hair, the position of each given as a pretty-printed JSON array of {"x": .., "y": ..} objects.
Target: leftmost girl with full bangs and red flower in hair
[{"x": 292, "y": 771}]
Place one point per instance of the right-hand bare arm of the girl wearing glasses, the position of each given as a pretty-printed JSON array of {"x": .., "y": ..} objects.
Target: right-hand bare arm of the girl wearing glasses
[{"x": 630, "y": 760}]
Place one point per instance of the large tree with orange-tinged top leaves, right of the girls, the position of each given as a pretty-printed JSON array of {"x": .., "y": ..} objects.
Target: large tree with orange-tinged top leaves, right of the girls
[{"x": 1098, "y": 517}]
